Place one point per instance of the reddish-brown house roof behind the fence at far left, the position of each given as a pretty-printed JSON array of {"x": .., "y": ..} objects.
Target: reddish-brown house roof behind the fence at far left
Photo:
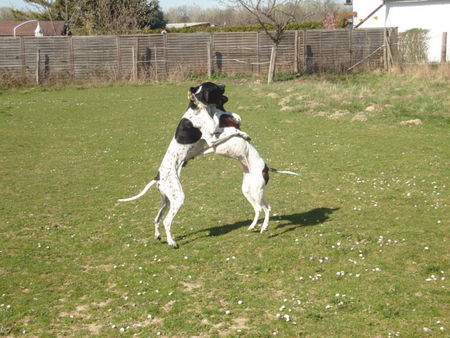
[{"x": 49, "y": 28}]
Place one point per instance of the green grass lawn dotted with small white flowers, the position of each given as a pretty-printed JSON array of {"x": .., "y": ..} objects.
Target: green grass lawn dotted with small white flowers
[{"x": 357, "y": 246}]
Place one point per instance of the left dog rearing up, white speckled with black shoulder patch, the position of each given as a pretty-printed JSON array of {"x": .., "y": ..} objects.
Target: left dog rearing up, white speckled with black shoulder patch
[{"x": 196, "y": 130}]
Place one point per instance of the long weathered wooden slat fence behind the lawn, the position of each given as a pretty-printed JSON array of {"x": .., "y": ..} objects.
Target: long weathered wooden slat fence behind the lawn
[{"x": 160, "y": 56}]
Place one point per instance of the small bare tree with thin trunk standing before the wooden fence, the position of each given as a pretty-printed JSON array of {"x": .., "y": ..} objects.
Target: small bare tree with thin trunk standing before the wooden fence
[{"x": 273, "y": 16}]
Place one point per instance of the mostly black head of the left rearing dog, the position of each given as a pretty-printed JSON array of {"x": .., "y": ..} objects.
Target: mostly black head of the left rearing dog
[{"x": 208, "y": 93}]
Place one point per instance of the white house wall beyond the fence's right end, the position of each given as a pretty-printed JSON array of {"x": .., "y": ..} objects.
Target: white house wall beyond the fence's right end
[{"x": 433, "y": 15}]
